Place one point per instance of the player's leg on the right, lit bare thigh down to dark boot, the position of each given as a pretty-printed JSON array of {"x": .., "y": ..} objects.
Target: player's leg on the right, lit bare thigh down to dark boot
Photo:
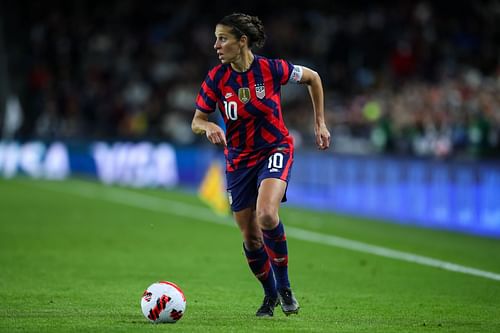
[{"x": 271, "y": 193}]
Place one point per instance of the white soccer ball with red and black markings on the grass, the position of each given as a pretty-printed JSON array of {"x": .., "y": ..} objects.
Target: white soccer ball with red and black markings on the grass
[{"x": 163, "y": 302}]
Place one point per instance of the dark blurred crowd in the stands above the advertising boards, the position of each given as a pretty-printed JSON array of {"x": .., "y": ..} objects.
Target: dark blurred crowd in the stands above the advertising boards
[{"x": 412, "y": 77}]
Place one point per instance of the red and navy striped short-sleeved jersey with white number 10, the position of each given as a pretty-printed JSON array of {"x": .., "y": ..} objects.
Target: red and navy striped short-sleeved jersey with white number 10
[{"x": 250, "y": 104}]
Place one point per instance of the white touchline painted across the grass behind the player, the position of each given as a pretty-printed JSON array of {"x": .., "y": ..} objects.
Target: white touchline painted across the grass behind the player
[{"x": 144, "y": 201}]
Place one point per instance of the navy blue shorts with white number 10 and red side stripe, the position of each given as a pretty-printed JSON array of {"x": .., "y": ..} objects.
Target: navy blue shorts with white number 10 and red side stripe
[{"x": 243, "y": 184}]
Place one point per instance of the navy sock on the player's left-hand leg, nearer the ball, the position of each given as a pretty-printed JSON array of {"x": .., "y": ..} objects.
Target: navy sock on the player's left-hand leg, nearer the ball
[{"x": 259, "y": 263}]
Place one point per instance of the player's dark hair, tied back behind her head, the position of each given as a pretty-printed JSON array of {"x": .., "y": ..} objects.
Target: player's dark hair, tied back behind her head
[{"x": 250, "y": 26}]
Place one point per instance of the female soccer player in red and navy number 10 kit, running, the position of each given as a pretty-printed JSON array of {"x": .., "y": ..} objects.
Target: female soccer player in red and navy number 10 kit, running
[{"x": 258, "y": 148}]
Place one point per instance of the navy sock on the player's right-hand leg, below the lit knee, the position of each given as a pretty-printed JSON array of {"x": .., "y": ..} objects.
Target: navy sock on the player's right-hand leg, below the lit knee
[{"x": 275, "y": 243}]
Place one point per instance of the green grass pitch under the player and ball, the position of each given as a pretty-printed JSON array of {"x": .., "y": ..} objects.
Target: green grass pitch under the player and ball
[{"x": 75, "y": 256}]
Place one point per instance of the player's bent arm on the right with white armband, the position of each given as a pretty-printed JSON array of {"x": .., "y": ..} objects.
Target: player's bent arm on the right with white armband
[{"x": 315, "y": 87}]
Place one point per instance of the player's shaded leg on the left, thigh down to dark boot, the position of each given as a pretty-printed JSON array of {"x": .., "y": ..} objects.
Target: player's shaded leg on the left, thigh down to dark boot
[{"x": 257, "y": 259}]
